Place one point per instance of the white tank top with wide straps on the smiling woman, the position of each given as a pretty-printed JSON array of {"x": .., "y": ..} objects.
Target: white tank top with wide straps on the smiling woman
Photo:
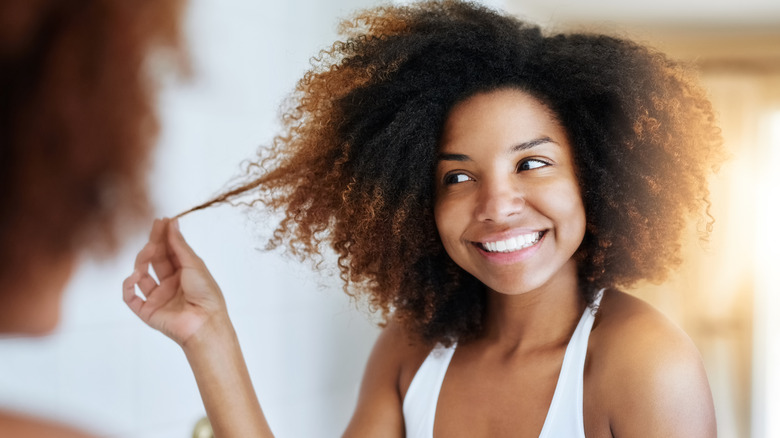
[{"x": 564, "y": 417}]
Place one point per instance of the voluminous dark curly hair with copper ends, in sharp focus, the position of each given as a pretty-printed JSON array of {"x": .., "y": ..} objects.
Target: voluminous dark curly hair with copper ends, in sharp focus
[{"x": 355, "y": 164}]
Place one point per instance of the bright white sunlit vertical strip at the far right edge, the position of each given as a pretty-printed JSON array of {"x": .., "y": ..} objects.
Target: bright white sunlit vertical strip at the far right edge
[{"x": 766, "y": 382}]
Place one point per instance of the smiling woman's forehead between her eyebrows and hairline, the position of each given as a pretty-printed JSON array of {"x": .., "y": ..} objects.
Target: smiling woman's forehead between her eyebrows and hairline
[{"x": 505, "y": 115}]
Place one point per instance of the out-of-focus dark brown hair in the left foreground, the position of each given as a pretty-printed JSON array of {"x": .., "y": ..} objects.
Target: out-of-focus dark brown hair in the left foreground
[{"x": 77, "y": 122}]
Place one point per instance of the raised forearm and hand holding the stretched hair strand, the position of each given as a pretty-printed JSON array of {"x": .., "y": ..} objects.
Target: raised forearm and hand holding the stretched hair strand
[{"x": 188, "y": 307}]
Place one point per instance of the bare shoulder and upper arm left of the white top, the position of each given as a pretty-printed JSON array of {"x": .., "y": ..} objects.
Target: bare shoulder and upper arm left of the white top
[{"x": 388, "y": 373}]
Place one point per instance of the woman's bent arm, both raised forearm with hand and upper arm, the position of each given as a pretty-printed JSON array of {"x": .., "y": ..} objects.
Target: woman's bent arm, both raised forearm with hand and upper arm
[{"x": 187, "y": 305}]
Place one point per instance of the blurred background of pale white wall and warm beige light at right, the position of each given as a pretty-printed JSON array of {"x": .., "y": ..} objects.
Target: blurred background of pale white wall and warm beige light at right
[{"x": 305, "y": 343}]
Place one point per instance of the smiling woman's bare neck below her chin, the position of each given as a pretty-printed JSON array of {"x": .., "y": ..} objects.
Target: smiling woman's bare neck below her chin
[{"x": 539, "y": 317}]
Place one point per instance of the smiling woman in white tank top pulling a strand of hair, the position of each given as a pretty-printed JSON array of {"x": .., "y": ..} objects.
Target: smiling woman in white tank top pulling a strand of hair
[{"x": 489, "y": 188}]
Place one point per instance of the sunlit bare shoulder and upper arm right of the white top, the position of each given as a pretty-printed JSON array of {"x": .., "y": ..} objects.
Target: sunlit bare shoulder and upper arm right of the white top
[{"x": 648, "y": 373}]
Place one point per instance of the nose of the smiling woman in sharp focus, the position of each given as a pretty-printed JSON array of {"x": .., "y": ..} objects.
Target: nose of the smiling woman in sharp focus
[{"x": 498, "y": 200}]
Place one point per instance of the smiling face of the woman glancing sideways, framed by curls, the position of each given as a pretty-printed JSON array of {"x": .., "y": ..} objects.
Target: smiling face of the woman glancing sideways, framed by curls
[{"x": 508, "y": 205}]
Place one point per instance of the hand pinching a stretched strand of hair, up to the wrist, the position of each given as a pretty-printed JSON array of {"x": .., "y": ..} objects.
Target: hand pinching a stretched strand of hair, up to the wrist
[{"x": 184, "y": 297}]
